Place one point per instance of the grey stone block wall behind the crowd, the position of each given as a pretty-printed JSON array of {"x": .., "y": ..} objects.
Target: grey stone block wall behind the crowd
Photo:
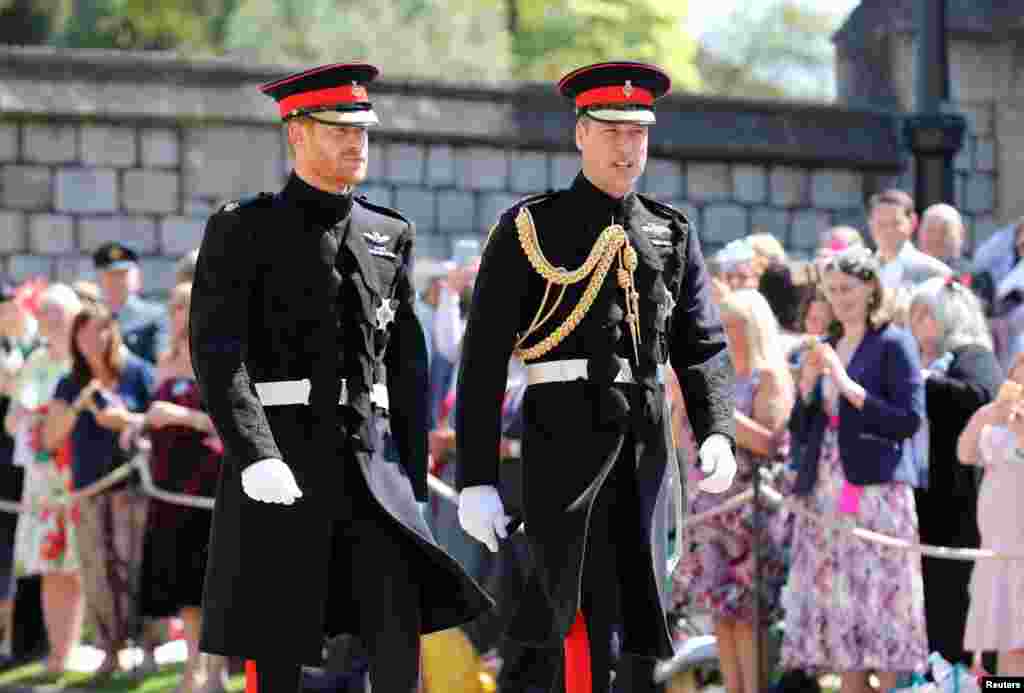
[{"x": 143, "y": 148}]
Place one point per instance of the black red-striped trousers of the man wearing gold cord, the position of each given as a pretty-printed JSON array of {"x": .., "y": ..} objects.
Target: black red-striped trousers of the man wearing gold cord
[{"x": 616, "y": 569}]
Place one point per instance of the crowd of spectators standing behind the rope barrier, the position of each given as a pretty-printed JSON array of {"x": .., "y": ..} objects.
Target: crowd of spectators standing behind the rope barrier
[{"x": 876, "y": 382}]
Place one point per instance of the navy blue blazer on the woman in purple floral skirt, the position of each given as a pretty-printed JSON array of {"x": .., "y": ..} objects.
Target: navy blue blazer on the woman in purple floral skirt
[{"x": 875, "y": 442}]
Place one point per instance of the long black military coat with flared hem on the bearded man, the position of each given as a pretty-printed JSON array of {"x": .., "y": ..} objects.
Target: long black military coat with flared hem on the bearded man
[{"x": 286, "y": 289}]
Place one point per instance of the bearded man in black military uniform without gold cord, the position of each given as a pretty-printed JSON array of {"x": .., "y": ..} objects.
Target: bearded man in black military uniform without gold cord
[{"x": 313, "y": 366}]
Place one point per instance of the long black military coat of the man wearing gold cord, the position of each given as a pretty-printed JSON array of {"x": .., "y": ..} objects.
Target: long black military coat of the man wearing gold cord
[{"x": 575, "y": 432}]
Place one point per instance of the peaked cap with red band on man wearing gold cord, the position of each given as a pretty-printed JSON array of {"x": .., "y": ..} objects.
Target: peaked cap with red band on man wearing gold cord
[{"x": 623, "y": 92}]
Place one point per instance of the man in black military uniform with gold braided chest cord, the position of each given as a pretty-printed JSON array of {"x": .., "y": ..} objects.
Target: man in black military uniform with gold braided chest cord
[{"x": 596, "y": 288}]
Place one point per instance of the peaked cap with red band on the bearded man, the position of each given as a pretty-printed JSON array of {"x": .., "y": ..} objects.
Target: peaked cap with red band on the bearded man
[{"x": 334, "y": 95}]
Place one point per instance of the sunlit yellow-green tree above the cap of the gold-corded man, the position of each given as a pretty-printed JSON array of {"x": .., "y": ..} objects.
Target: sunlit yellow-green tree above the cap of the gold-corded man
[{"x": 550, "y": 38}]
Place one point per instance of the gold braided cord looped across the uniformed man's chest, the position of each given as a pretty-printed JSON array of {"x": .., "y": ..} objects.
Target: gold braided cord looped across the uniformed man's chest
[{"x": 609, "y": 245}]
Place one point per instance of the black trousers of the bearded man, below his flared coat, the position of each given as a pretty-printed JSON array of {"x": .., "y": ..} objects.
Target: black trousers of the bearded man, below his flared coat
[{"x": 375, "y": 555}]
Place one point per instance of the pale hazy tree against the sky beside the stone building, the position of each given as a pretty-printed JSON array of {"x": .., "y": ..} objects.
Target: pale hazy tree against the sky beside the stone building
[{"x": 781, "y": 52}]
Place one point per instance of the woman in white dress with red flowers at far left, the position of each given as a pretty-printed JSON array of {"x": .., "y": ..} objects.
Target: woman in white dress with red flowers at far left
[{"x": 45, "y": 543}]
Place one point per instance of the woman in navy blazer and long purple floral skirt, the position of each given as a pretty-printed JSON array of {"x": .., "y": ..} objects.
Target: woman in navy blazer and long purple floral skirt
[{"x": 856, "y": 607}]
